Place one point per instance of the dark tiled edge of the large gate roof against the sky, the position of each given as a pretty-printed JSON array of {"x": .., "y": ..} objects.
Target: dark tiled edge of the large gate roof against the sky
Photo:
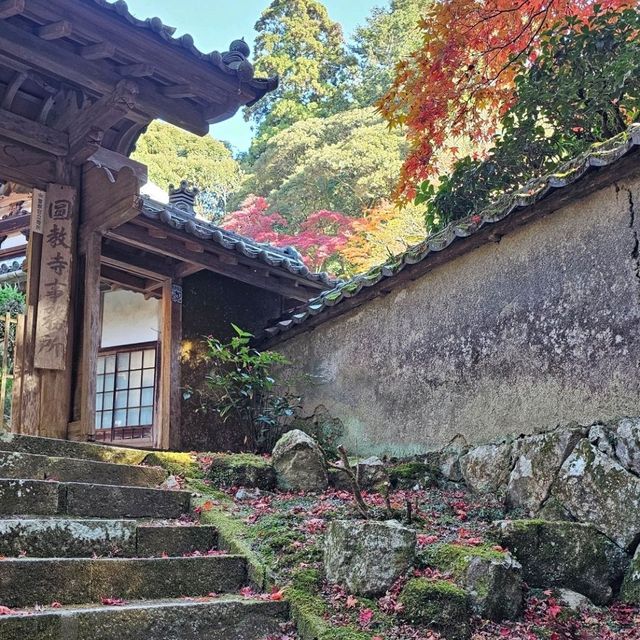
[{"x": 186, "y": 43}]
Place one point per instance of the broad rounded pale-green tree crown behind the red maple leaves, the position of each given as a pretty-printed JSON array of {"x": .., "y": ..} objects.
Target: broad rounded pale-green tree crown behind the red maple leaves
[{"x": 347, "y": 162}]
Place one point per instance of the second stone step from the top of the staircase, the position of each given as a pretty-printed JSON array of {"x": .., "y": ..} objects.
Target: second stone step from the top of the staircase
[{"x": 39, "y": 467}]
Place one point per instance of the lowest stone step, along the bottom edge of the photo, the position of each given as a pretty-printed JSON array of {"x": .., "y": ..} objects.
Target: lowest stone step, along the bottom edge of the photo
[{"x": 223, "y": 619}]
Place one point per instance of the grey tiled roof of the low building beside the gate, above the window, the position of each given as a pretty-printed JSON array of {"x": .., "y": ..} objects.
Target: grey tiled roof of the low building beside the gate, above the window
[{"x": 287, "y": 259}]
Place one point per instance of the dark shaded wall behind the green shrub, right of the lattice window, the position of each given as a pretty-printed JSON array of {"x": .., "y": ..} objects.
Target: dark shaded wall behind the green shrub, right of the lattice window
[{"x": 210, "y": 304}]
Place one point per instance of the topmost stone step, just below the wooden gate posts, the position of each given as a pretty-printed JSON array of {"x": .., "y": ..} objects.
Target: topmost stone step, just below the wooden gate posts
[{"x": 68, "y": 449}]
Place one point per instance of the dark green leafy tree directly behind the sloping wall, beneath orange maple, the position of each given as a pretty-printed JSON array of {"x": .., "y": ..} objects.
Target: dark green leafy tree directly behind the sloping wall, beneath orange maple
[{"x": 583, "y": 88}]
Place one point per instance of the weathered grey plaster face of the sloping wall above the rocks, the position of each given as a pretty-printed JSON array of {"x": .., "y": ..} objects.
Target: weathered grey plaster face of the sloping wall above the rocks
[{"x": 538, "y": 330}]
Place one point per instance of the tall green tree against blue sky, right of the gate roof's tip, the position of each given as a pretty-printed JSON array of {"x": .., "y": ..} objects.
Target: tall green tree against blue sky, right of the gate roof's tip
[{"x": 298, "y": 41}]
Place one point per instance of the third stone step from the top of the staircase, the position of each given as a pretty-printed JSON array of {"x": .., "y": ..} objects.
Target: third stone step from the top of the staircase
[{"x": 42, "y": 497}]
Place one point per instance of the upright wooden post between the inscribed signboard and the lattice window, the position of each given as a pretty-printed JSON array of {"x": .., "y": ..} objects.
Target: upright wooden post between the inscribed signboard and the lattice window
[{"x": 91, "y": 335}]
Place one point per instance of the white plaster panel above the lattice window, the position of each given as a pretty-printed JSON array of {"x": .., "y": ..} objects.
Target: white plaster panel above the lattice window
[{"x": 127, "y": 318}]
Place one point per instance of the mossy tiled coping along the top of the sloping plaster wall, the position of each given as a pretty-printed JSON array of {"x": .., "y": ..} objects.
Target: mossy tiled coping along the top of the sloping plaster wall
[{"x": 600, "y": 155}]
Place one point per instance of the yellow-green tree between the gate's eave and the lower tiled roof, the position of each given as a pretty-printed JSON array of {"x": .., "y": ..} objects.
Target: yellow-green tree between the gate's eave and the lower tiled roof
[{"x": 173, "y": 155}]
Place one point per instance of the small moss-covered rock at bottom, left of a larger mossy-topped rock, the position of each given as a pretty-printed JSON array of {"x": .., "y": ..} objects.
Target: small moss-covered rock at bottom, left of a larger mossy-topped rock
[{"x": 438, "y": 604}]
